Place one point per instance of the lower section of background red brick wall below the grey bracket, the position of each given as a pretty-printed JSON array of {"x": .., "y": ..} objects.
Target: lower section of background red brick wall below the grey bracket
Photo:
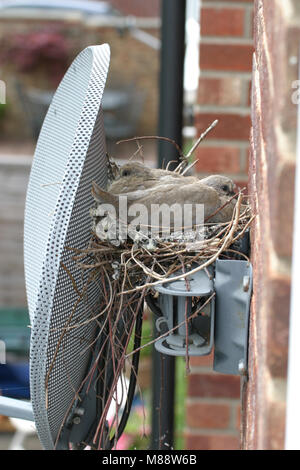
[{"x": 212, "y": 408}]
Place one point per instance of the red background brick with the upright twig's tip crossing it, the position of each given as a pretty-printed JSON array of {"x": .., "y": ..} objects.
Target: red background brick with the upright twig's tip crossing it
[{"x": 230, "y": 126}]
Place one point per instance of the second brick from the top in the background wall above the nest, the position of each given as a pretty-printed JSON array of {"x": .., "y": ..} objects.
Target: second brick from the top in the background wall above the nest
[{"x": 227, "y": 57}]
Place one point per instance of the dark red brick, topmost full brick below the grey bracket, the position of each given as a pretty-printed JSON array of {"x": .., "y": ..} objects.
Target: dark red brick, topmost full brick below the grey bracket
[{"x": 213, "y": 385}]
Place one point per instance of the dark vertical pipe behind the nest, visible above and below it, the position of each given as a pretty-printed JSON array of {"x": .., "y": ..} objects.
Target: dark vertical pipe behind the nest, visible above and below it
[{"x": 170, "y": 125}]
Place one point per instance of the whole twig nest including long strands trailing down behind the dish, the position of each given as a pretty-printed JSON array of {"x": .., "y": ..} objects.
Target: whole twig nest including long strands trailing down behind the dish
[{"x": 129, "y": 273}]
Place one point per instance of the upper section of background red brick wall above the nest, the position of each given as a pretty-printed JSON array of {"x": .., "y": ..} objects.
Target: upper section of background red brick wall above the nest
[{"x": 226, "y": 50}]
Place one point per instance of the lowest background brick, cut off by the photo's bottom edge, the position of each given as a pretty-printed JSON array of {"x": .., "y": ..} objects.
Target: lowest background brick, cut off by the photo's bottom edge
[{"x": 212, "y": 442}]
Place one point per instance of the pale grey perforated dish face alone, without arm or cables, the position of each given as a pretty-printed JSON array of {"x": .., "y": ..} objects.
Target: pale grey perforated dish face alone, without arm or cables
[{"x": 70, "y": 154}]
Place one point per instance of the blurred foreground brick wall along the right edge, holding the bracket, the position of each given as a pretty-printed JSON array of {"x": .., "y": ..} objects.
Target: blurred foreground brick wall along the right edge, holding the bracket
[{"x": 272, "y": 168}]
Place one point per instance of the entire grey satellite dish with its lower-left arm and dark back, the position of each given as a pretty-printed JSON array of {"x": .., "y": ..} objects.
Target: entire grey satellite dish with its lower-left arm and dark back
[{"x": 72, "y": 365}]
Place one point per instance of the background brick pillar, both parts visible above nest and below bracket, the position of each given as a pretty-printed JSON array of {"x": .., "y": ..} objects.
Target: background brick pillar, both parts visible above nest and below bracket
[{"x": 226, "y": 49}]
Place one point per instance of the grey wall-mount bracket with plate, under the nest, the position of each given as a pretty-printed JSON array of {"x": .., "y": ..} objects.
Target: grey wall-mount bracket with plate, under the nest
[{"x": 224, "y": 324}]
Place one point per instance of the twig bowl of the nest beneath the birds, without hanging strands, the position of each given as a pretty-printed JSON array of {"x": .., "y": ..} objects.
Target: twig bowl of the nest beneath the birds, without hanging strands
[{"x": 138, "y": 266}]
